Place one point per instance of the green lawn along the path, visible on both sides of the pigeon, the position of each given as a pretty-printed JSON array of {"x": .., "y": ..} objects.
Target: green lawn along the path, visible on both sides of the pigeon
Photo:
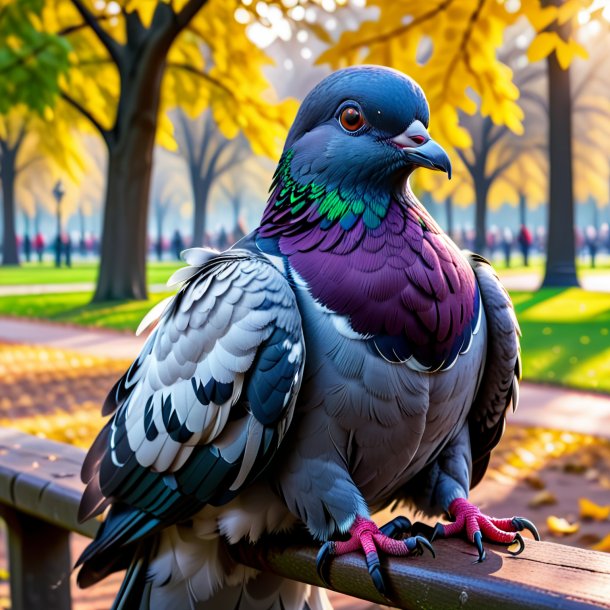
[{"x": 566, "y": 332}]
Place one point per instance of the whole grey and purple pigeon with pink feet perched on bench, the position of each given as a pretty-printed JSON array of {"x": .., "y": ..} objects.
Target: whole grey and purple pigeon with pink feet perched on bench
[{"x": 342, "y": 357}]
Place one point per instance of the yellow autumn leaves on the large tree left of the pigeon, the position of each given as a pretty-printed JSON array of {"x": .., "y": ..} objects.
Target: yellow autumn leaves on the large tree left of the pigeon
[{"x": 212, "y": 64}]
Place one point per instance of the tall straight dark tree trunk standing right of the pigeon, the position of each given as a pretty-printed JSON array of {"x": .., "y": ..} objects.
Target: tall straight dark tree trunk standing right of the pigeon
[{"x": 560, "y": 267}]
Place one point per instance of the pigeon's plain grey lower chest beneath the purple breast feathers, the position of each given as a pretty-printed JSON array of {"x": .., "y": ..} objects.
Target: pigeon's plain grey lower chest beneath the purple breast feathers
[{"x": 386, "y": 419}]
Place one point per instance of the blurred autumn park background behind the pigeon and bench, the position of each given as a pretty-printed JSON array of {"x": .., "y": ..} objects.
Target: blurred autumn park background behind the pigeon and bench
[{"x": 132, "y": 129}]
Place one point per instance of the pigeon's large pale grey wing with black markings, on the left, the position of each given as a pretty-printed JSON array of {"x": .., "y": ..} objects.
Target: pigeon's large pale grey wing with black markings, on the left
[{"x": 205, "y": 406}]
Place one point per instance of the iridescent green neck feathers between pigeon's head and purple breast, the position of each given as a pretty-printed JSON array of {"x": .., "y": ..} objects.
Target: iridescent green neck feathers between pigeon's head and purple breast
[{"x": 296, "y": 205}]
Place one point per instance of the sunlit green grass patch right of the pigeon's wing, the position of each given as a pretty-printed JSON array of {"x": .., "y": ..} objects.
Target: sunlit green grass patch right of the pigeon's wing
[{"x": 566, "y": 337}]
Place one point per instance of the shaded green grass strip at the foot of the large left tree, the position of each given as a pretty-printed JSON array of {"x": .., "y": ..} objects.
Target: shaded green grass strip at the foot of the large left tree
[{"x": 75, "y": 308}]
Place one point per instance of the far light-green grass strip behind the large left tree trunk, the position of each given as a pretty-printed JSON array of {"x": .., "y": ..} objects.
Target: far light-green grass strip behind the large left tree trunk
[{"x": 47, "y": 273}]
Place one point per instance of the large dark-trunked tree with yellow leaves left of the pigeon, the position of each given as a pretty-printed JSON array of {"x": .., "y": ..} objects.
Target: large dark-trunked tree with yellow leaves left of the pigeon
[{"x": 130, "y": 62}]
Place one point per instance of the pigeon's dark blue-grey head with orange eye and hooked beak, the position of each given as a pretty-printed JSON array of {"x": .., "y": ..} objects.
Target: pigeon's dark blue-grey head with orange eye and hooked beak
[{"x": 363, "y": 128}]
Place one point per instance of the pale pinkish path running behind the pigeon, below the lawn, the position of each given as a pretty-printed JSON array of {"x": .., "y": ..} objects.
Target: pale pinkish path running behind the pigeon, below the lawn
[{"x": 540, "y": 405}]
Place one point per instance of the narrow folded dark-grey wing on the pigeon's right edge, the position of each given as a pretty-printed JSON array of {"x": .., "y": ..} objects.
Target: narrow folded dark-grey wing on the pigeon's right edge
[{"x": 499, "y": 389}]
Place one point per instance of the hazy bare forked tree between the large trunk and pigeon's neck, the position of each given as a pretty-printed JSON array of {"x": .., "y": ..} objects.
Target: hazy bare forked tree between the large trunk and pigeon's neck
[{"x": 208, "y": 155}]
